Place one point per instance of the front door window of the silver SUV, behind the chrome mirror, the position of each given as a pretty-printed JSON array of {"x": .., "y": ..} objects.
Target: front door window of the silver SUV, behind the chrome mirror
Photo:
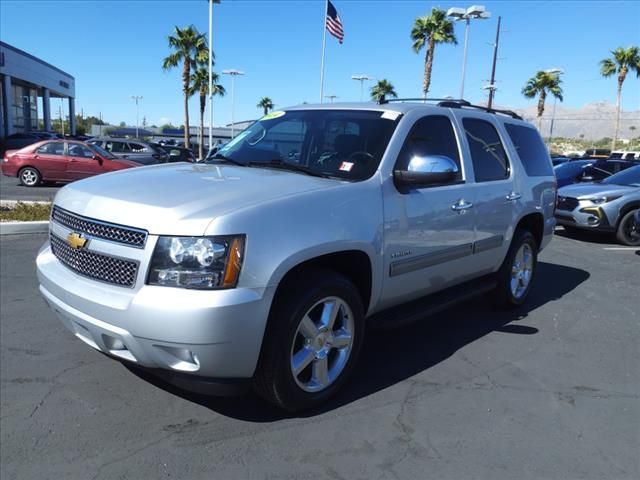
[{"x": 432, "y": 135}]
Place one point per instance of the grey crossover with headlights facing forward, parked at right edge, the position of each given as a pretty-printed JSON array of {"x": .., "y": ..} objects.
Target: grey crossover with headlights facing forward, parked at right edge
[{"x": 609, "y": 206}]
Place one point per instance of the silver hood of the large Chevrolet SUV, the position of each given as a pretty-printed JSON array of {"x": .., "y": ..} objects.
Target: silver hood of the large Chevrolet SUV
[{"x": 180, "y": 198}]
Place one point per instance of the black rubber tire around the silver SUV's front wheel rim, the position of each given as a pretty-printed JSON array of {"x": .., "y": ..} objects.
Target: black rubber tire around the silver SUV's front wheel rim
[{"x": 274, "y": 379}]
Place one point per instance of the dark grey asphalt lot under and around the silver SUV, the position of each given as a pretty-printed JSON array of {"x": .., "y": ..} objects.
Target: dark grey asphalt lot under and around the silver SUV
[{"x": 551, "y": 390}]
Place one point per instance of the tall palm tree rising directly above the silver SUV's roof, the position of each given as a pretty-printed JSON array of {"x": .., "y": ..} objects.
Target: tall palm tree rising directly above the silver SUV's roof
[{"x": 431, "y": 30}]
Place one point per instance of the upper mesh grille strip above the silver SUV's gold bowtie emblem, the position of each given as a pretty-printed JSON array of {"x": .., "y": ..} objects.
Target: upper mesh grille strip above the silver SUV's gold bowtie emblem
[{"x": 107, "y": 231}]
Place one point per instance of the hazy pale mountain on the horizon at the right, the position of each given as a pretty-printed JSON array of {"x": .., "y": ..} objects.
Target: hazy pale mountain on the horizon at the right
[{"x": 594, "y": 120}]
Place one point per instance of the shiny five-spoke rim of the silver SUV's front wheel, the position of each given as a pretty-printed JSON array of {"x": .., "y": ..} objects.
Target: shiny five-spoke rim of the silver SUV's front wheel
[{"x": 322, "y": 344}]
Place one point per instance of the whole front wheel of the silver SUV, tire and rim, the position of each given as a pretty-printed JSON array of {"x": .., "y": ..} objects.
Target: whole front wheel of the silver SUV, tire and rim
[{"x": 314, "y": 336}]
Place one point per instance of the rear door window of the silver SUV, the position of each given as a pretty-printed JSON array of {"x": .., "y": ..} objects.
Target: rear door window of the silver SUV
[{"x": 487, "y": 153}]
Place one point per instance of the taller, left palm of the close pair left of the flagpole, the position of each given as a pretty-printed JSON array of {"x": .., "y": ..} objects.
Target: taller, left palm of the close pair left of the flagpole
[{"x": 190, "y": 48}]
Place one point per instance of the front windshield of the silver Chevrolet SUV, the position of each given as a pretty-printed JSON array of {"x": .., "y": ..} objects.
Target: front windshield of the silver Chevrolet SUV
[{"x": 346, "y": 144}]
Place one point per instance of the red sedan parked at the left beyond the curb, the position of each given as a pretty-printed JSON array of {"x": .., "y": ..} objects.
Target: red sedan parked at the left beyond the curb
[{"x": 60, "y": 161}]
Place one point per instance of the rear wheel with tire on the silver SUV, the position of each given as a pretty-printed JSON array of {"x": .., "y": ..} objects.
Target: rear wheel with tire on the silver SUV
[{"x": 515, "y": 276}]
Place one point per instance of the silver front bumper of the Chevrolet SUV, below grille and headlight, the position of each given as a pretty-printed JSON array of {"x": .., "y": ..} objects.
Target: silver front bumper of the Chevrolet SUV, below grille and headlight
[{"x": 210, "y": 334}]
